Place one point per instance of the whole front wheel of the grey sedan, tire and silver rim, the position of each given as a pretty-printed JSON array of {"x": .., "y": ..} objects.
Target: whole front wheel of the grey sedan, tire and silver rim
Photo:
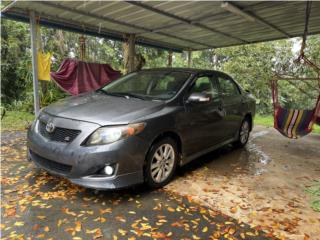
[{"x": 161, "y": 163}]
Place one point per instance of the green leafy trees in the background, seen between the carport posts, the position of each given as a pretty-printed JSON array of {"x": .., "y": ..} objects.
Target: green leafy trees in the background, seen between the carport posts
[{"x": 251, "y": 65}]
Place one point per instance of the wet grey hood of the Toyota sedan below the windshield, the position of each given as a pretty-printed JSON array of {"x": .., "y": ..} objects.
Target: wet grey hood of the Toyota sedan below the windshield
[{"x": 103, "y": 109}]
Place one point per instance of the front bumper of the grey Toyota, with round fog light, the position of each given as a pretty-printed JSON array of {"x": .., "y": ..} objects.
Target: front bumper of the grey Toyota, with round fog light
[{"x": 80, "y": 163}]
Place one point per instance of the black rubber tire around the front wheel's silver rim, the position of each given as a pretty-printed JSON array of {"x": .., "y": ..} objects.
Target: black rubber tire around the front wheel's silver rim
[{"x": 149, "y": 179}]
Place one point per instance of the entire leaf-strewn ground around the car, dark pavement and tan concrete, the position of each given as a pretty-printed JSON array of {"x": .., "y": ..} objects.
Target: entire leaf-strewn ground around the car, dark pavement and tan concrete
[{"x": 253, "y": 193}]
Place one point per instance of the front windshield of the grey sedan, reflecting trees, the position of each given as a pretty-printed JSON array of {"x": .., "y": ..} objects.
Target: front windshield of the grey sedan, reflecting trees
[{"x": 161, "y": 85}]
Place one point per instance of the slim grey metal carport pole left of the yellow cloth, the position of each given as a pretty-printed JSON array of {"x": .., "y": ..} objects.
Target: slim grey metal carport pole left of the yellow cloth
[{"x": 34, "y": 63}]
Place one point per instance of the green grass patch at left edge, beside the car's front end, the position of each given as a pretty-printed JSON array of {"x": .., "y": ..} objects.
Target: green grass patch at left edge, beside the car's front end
[{"x": 14, "y": 120}]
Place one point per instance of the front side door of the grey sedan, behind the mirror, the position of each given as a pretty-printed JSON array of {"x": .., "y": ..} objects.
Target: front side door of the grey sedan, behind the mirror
[{"x": 204, "y": 120}]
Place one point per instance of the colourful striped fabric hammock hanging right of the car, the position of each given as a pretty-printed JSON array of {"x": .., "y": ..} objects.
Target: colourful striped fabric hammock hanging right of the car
[{"x": 293, "y": 123}]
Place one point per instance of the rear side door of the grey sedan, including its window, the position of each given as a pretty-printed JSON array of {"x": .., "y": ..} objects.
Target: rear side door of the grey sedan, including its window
[{"x": 231, "y": 102}]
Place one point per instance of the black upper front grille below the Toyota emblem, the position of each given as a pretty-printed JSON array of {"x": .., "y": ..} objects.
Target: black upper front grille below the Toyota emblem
[{"x": 59, "y": 134}]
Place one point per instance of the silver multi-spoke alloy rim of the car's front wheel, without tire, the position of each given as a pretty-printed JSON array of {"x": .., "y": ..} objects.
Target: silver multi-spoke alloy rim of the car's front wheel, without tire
[{"x": 162, "y": 163}]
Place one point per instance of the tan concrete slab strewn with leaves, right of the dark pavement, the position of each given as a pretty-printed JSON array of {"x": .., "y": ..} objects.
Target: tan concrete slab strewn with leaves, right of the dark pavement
[{"x": 262, "y": 185}]
